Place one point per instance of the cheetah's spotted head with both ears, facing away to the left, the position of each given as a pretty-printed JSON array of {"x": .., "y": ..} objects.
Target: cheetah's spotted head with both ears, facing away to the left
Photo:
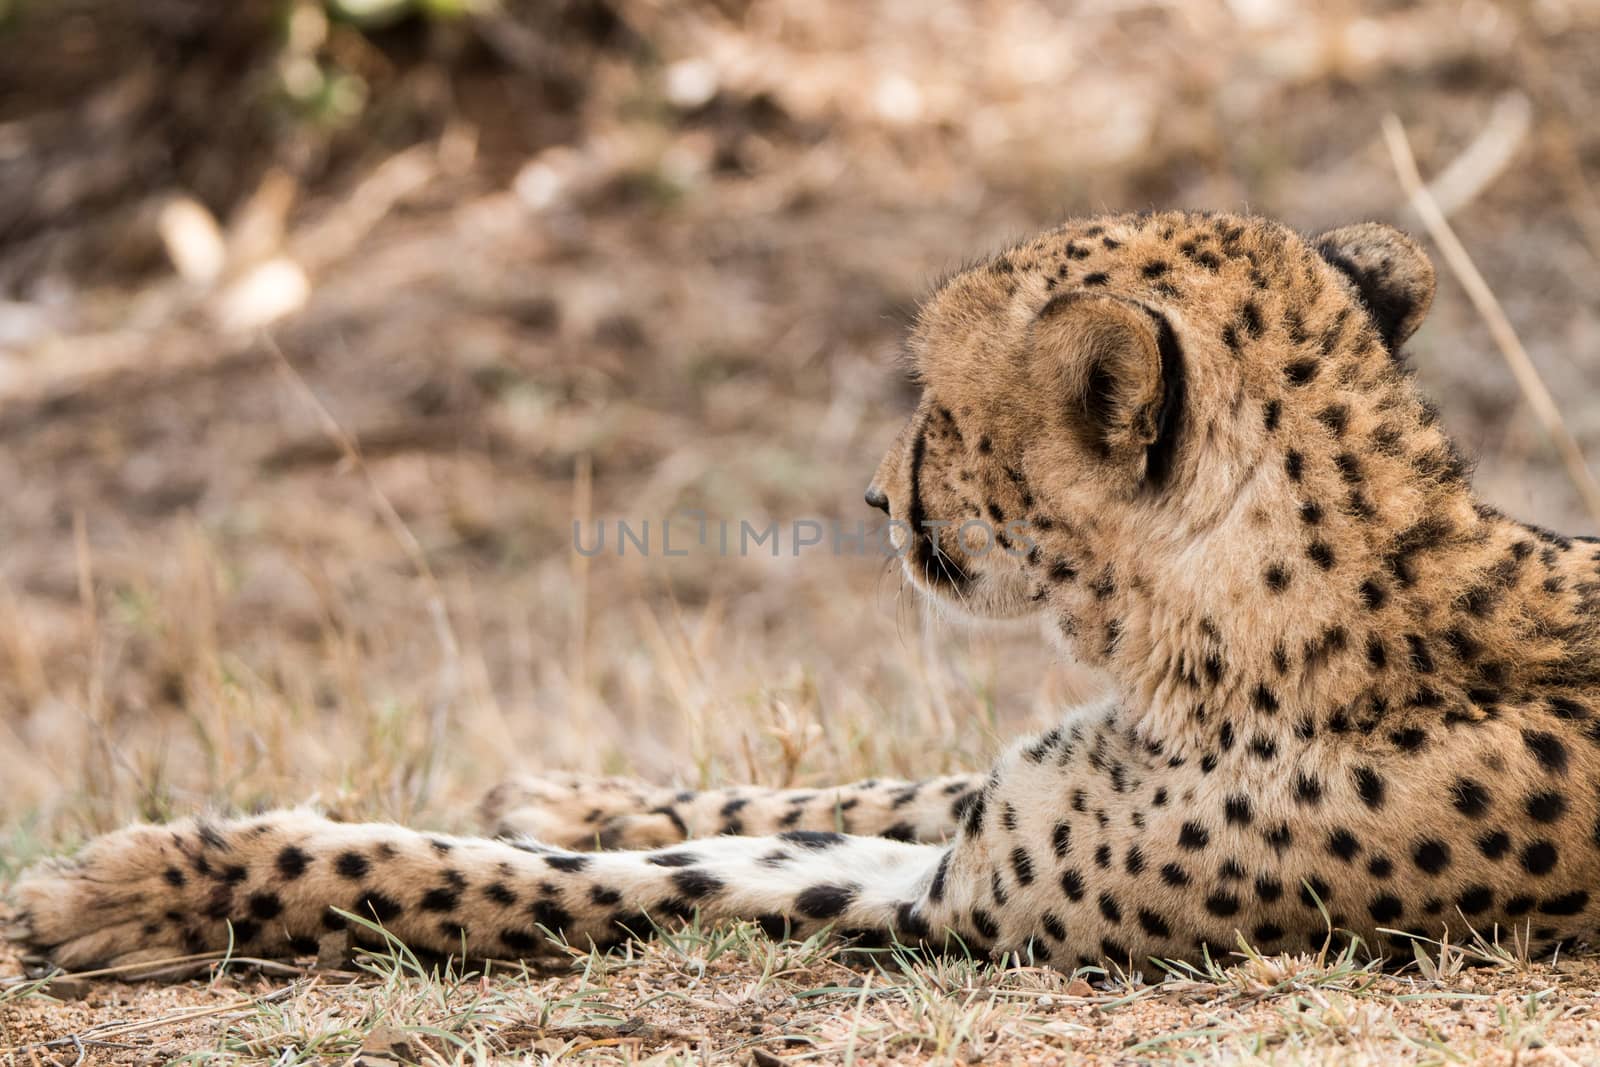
[{"x": 1124, "y": 390}]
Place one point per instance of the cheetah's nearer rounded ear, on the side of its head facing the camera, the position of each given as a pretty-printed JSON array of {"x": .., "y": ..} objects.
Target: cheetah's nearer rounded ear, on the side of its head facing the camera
[{"x": 1098, "y": 366}]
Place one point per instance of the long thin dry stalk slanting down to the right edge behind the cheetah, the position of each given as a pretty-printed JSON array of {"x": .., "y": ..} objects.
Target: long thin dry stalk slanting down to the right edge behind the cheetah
[{"x": 1522, "y": 369}]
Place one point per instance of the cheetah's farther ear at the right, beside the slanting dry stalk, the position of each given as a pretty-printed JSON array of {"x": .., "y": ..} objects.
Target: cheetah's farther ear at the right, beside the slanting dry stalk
[{"x": 1390, "y": 271}]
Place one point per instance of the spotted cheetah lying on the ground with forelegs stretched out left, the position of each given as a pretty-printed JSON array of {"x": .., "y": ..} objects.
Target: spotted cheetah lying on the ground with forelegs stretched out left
[{"x": 1345, "y": 700}]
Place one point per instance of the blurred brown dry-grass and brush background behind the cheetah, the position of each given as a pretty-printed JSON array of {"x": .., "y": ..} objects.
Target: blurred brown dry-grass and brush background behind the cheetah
[{"x": 322, "y": 321}]
